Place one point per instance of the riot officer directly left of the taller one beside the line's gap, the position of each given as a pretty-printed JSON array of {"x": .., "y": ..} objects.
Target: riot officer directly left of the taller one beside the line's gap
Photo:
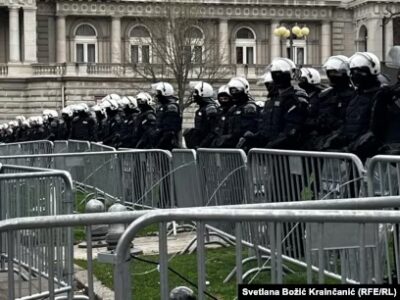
[{"x": 145, "y": 127}]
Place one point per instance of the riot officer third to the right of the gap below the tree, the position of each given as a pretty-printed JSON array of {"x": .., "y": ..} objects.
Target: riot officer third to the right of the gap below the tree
[{"x": 242, "y": 117}]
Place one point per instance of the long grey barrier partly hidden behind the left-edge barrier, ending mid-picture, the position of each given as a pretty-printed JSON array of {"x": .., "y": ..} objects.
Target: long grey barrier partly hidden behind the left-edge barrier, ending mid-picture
[{"x": 136, "y": 177}]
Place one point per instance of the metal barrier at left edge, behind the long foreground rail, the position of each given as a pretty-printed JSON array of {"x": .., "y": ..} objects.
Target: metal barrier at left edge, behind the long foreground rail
[{"x": 36, "y": 261}]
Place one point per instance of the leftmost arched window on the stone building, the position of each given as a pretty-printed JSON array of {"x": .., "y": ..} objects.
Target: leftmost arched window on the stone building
[{"x": 85, "y": 44}]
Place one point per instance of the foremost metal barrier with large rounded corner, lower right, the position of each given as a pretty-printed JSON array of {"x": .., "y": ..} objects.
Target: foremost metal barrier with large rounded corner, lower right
[{"x": 315, "y": 221}]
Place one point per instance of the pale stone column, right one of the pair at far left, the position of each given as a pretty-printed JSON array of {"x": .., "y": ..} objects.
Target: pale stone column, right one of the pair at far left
[{"x": 30, "y": 35}]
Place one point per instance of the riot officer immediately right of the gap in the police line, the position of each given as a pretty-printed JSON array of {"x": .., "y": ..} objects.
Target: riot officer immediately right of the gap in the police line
[{"x": 206, "y": 117}]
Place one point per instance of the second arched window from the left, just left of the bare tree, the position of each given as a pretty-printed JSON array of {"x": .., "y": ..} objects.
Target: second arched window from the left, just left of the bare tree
[{"x": 140, "y": 43}]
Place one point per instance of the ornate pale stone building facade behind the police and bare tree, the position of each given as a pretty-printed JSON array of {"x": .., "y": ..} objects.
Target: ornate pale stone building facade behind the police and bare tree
[{"x": 55, "y": 52}]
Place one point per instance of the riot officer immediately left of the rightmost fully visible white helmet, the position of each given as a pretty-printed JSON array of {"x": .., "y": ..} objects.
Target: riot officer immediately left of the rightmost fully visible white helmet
[{"x": 327, "y": 111}]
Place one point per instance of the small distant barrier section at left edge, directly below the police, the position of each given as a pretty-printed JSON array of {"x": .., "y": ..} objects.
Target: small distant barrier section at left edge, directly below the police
[{"x": 26, "y": 148}]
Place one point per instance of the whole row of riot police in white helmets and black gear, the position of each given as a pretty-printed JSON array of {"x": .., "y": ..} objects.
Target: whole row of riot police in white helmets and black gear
[{"x": 358, "y": 113}]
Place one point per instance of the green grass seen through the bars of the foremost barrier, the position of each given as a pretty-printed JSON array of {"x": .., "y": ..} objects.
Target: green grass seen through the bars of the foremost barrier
[{"x": 219, "y": 262}]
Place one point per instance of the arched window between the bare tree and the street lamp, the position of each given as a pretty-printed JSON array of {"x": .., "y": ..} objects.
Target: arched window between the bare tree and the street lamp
[{"x": 245, "y": 43}]
